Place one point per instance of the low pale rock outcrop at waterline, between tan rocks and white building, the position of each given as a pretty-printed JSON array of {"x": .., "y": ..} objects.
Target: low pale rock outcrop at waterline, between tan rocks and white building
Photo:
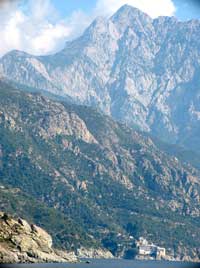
[{"x": 92, "y": 253}]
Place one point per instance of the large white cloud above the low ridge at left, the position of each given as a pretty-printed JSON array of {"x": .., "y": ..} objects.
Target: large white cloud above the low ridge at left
[{"x": 38, "y": 29}]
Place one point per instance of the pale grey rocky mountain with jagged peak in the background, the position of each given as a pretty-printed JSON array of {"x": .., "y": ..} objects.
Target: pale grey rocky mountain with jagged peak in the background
[{"x": 140, "y": 71}]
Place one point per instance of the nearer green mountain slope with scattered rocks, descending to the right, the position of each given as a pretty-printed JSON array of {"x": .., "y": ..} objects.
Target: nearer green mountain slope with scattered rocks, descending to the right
[{"x": 92, "y": 182}]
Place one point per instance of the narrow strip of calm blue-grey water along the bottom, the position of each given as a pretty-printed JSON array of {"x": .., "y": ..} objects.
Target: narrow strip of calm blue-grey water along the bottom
[{"x": 110, "y": 264}]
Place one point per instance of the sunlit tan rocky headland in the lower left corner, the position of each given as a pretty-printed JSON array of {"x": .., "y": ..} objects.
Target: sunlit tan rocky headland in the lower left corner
[{"x": 21, "y": 242}]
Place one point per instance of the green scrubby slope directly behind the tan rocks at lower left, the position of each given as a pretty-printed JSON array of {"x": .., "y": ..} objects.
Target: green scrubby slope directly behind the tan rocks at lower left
[{"x": 66, "y": 233}]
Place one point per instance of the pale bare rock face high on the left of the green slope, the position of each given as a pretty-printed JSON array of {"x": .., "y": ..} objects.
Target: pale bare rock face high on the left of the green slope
[{"x": 48, "y": 123}]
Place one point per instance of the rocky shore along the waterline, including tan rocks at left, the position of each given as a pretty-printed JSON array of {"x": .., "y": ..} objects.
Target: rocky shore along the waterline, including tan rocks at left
[{"x": 21, "y": 242}]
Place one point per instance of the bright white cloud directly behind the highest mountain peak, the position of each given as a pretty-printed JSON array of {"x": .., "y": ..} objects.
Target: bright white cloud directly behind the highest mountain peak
[{"x": 153, "y": 8}]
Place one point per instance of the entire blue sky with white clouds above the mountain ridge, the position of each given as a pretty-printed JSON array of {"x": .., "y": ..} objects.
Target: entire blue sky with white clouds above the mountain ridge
[{"x": 43, "y": 26}]
